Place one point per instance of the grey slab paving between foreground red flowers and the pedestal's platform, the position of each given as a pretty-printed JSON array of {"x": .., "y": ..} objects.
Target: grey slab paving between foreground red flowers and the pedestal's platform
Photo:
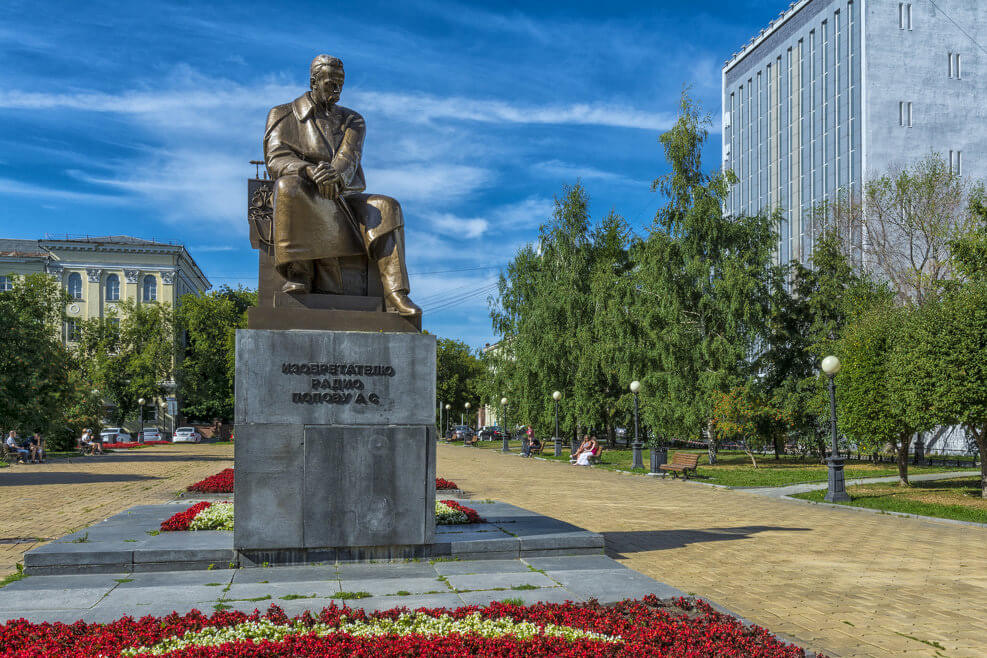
[{"x": 437, "y": 583}]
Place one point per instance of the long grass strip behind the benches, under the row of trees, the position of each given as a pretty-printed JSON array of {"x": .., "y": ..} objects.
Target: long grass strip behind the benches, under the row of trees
[{"x": 734, "y": 467}]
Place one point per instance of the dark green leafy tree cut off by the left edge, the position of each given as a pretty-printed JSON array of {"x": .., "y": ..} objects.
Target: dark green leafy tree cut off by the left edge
[{"x": 36, "y": 384}]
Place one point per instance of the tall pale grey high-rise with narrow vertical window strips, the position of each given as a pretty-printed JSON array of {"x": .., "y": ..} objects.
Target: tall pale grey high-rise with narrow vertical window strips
[{"x": 835, "y": 92}]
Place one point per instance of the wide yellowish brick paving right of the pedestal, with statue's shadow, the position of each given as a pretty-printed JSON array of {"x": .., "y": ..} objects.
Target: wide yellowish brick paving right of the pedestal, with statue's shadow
[{"x": 838, "y": 581}]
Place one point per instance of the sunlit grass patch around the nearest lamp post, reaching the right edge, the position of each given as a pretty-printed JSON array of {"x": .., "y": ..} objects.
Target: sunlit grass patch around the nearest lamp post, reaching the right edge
[{"x": 946, "y": 499}]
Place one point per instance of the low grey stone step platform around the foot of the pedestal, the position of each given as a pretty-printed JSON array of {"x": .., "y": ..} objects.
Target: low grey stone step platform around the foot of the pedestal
[{"x": 130, "y": 542}]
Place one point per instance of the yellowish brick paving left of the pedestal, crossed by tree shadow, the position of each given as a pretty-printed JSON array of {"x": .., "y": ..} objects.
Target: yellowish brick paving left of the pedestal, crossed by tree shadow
[{"x": 62, "y": 496}]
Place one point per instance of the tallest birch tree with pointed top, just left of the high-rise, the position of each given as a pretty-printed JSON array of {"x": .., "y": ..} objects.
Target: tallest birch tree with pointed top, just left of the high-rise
[{"x": 704, "y": 283}]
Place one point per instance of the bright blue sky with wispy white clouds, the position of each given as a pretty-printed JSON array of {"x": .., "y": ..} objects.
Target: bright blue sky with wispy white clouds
[{"x": 139, "y": 118}]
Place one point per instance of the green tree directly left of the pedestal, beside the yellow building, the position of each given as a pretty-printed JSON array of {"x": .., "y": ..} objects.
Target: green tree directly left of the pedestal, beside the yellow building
[{"x": 207, "y": 324}]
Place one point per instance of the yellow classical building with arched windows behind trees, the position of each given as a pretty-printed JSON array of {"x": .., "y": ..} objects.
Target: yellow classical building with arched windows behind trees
[{"x": 100, "y": 272}]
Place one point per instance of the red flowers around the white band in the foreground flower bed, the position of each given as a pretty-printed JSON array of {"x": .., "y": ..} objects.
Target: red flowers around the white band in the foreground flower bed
[{"x": 649, "y": 627}]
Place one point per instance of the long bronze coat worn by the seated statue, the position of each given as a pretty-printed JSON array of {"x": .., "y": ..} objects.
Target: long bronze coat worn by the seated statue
[{"x": 306, "y": 225}]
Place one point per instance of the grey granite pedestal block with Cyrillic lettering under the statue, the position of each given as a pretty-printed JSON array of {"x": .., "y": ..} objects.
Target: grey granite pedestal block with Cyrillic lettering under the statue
[{"x": 335, "y": 445}]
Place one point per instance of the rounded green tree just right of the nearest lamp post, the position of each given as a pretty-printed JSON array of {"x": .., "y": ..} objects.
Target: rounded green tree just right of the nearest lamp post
[{"x": 871, "y": 409}]
